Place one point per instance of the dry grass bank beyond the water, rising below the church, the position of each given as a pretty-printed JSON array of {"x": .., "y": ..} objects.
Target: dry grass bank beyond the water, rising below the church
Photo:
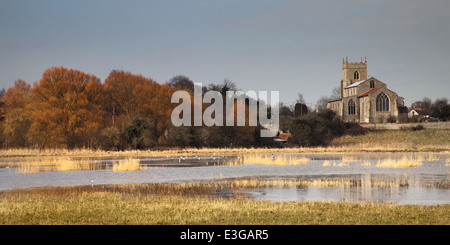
[{"x": 427, "y": 140}]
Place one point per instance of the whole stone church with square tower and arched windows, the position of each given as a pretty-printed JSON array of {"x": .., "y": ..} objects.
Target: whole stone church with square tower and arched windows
[{"x": 366, "y": 100}]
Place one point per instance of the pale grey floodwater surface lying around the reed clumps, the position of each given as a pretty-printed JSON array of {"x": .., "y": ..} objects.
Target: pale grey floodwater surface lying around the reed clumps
[{"x": 427, "y": 184}]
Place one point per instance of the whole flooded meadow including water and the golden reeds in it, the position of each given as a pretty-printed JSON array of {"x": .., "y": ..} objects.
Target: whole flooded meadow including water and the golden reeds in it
[{"x": 400, "y": 178}]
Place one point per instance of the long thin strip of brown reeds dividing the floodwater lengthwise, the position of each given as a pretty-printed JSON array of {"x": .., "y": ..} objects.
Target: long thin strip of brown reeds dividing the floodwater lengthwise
[{"x": 208, "y": 188}]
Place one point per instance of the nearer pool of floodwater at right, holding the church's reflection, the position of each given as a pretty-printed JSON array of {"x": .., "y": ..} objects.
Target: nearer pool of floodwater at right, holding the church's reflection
[{"x": 370, "y": 188}]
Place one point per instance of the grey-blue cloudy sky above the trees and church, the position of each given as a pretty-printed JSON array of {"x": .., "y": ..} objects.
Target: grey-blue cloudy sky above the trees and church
[{"x": 288, "y": 46}]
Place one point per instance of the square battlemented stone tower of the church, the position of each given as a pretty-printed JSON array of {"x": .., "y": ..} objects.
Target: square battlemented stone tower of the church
[{"x": 353, "y": 72}]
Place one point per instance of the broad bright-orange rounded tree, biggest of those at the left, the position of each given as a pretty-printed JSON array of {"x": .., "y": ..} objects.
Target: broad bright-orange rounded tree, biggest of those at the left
[{"x": 65, "y": 108}]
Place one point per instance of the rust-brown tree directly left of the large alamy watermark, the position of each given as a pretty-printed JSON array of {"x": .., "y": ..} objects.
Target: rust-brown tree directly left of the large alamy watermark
[{"x": 132, "y": 98}]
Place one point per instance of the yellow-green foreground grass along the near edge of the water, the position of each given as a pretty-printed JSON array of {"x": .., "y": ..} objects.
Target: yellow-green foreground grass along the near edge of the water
[{"x": 105, "y": 208}]
